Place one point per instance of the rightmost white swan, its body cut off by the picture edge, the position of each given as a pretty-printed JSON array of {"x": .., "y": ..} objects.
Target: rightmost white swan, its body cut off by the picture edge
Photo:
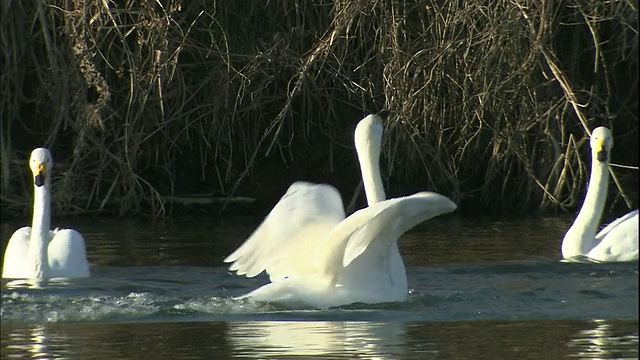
[{"x": 618, "y": 241}]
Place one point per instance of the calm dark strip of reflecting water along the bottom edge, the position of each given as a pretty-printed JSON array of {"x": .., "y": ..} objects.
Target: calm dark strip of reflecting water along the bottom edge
[{"x": 326, "y": 339}]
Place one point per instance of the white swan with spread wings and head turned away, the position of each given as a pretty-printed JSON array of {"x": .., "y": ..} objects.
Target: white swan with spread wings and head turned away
[{"x": 317, "y": 258}]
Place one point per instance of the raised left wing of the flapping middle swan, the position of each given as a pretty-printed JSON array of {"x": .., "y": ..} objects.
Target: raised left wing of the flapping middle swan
[{"x": 283, "y": 245}]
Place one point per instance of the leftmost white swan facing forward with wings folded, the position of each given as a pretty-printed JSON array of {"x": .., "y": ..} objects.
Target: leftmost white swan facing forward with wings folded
[{"x": 36, "y": 252}]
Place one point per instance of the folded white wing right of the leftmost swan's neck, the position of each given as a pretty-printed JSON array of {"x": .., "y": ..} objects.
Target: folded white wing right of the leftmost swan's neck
[{"x": 67, "y": 254}]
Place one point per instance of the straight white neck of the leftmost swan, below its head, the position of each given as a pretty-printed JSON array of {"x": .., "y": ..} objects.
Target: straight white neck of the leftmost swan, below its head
[{"x": 40, "y": 226}]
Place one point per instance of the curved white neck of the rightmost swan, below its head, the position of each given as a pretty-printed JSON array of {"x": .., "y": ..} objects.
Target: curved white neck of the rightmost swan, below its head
[{"x": 580, "y": 237}]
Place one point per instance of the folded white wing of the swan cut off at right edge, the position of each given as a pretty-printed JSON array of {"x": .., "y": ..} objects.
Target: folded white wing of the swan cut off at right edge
[{"x": 618, "y": 241}]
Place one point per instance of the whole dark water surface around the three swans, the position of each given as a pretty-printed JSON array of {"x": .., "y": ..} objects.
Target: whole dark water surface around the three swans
[{"x": 480, "y": 288}]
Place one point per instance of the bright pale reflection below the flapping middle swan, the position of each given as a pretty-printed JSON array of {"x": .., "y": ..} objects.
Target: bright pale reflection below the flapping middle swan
[{"x": 260, "y": 339}]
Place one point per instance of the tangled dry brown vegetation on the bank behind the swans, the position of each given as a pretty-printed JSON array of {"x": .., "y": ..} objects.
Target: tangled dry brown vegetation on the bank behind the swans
[{"x": 142, "y": 102}]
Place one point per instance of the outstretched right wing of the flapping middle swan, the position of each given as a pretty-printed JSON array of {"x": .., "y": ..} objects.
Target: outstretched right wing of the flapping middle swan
[{"x": 388, "y": 220}]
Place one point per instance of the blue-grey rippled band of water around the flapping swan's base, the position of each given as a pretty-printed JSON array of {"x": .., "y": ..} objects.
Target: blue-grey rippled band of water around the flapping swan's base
[{"x": 535, "y": 290}]
